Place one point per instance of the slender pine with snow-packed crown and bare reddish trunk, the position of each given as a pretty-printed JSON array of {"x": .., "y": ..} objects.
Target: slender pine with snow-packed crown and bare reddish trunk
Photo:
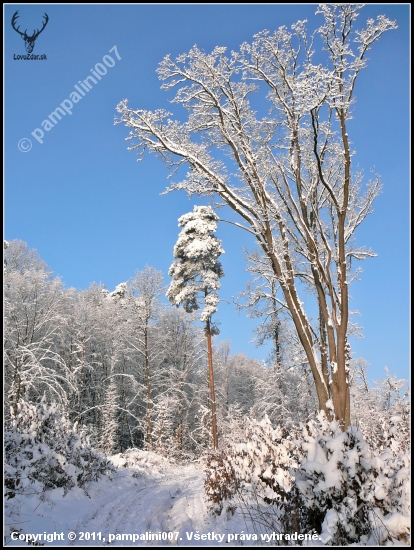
[{"x": 195, "y": 276}]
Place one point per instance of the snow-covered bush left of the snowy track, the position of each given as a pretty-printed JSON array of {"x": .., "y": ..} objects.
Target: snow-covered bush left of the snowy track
[{"x": 42, "y": 447}]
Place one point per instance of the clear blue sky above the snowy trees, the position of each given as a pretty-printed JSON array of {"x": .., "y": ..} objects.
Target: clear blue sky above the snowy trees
[{"x": 94, "y": 214}]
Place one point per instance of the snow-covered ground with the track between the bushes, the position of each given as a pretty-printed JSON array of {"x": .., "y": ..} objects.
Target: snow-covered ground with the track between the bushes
[{"x": 151, "y": 497}]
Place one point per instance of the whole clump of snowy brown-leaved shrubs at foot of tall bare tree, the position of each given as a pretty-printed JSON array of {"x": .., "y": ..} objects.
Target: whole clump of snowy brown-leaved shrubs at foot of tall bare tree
[{"x": 325, "y": 481}]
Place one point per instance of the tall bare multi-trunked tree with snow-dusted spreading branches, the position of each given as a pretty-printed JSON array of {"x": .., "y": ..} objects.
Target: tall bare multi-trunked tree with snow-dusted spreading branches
[{"x": 289, "y": 175}]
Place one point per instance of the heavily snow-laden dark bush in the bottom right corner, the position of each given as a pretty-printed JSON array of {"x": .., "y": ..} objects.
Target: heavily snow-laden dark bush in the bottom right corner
[{"x": 360, "y": 493}]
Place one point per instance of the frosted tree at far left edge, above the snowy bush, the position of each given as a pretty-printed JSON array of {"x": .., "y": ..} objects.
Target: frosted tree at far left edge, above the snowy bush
[{"x": 34, "y": 321}]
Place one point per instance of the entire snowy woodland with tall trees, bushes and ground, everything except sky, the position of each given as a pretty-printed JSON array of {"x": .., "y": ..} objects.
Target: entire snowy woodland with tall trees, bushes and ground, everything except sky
[{"x": 132, "y": 415}]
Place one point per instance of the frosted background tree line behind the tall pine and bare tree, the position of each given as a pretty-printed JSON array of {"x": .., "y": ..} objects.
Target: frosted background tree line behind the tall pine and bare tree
[{"x": 134, "y": 370}]
